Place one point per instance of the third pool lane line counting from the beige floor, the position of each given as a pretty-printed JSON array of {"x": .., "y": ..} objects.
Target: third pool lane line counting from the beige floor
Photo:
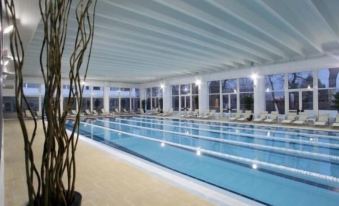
[{"x": 255, "y": 136}]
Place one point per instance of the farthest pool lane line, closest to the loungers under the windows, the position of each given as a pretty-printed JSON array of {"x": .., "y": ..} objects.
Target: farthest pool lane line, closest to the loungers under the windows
[{"x": 199, "y": 122}]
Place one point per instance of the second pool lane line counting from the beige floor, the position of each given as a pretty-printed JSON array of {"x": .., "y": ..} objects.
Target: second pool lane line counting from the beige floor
[{"x": 285, "y": 151}]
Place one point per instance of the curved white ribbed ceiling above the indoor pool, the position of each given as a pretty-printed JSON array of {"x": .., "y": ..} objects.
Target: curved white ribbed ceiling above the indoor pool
[{"x": 144, "y": 40}]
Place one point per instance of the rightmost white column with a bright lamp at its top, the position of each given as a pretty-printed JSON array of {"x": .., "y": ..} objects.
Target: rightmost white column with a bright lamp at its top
[{"x": 259, "y": 95}]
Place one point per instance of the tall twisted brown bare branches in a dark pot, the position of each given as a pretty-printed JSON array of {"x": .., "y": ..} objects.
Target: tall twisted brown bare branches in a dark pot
[{"x": 54, "y": 182}]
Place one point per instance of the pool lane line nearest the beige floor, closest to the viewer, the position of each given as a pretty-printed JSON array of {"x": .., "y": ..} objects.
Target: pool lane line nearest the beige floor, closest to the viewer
[{"x": 246, "y": 162}]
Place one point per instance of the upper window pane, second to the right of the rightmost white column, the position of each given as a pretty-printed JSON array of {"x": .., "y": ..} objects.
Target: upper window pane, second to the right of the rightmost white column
[{"x": 300, "y": 80}]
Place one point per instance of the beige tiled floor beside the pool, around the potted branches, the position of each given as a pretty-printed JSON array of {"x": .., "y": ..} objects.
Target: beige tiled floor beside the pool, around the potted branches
[{"x": 101, "y": 178}]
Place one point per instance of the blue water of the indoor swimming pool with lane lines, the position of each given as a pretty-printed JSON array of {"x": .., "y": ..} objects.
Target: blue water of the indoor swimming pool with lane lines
[{"x": 271, "y": 165}]
